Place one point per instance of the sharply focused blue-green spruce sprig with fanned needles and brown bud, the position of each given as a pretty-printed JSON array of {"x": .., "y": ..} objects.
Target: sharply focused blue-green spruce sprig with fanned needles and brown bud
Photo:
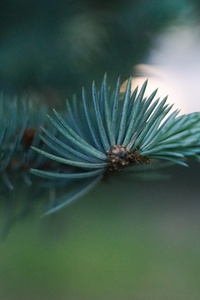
[{"x": 108, "y": 135}]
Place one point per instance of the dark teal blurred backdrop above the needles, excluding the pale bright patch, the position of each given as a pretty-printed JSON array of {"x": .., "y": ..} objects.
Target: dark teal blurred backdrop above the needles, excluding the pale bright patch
[{"x": 62, "y": 45}]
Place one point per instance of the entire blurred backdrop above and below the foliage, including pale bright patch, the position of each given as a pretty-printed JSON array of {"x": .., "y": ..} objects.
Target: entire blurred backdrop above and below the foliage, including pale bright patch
[{"x": 126, "y": 239}]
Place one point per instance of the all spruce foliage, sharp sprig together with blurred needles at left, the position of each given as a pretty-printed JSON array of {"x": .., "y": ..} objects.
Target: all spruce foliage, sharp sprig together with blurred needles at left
[{"x": 95, "y": 138}]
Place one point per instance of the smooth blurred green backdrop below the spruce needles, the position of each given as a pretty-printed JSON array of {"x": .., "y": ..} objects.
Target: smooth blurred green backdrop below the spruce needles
[{"x": 124, "y": 240}]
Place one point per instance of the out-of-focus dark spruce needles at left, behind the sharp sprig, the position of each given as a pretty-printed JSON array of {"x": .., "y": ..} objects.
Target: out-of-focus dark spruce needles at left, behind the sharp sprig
[{"x": 20, "y": 121}]
